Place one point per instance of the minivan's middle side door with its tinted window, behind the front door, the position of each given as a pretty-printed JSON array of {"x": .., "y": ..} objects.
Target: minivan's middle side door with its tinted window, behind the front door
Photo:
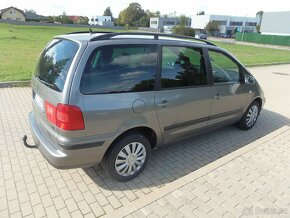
[{"x": 183, "y": 99}]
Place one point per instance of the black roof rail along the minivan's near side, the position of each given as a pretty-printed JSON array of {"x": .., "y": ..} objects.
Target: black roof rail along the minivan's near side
[{"x": 155, "y": 35}]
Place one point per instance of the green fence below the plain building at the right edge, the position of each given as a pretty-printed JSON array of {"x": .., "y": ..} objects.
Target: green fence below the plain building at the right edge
[{"x": 263, "y": 39}]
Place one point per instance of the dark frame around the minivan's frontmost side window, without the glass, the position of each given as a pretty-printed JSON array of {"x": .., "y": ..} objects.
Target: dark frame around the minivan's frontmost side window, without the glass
[{"x": 241, "y": 69}]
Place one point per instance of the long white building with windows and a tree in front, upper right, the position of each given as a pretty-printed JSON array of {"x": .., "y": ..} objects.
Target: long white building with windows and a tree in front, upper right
[{"x": 226, "y": 23}]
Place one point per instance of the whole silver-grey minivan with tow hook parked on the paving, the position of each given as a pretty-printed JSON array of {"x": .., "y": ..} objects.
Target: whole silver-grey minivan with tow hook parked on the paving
[{"x": 111, "y": 98}]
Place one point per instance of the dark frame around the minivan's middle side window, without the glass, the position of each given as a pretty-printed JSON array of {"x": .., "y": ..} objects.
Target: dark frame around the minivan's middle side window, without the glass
[{"x": 160, "y": 56}]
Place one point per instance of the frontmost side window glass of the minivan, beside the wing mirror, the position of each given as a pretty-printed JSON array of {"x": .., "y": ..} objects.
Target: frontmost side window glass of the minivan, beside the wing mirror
[{"x": 224, "y": 69}]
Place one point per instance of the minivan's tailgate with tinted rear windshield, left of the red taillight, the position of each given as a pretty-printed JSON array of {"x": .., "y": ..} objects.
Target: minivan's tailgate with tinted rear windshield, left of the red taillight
[{"x": 51, "y": 81}]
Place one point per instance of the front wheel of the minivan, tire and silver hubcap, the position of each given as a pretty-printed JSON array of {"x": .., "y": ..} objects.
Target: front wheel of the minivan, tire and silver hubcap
[{"x": 250, "y": 116}]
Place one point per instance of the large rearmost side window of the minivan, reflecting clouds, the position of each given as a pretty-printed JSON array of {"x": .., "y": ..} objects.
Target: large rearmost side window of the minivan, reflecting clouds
[{"x": 120, "y": 68}]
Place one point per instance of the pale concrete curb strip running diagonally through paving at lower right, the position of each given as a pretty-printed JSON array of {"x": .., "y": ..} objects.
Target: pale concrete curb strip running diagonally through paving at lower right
[{"x": 167, "y": 189}]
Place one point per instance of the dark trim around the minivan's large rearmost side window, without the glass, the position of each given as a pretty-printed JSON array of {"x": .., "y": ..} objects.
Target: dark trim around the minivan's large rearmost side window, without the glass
[{"x": 119, "y": 45}]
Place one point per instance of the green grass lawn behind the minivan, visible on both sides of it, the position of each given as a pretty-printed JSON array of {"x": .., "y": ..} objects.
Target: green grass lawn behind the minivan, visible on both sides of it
[{"x": 21, "y": 45}]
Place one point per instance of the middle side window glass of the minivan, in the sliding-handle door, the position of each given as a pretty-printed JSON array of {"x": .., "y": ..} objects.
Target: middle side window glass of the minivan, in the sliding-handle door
[{"x": 182, "y": 67}]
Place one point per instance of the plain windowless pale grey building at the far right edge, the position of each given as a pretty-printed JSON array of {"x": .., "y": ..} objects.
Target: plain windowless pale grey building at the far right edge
[{"x": 276, "y": 23}]
